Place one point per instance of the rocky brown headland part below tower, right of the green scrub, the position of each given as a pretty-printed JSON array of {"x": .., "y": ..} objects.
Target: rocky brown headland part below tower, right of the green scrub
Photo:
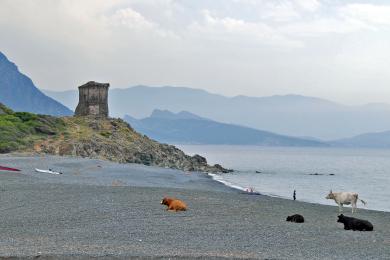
[{"x": 115, "y": 140}]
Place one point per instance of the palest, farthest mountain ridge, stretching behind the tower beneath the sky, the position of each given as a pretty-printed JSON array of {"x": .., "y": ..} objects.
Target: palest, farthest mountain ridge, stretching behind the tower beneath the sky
[{"x": 291, "y": 115}]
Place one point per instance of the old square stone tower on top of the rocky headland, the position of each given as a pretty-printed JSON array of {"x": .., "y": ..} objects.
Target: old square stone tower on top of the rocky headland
[{"x": 93, "y": 99}]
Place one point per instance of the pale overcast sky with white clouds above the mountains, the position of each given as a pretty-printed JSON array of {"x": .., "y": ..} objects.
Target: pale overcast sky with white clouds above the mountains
[{"x": 338, "y": 50}]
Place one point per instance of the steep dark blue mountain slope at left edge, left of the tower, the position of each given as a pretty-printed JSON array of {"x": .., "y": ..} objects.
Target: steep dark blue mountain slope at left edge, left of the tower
[{"x": 18, "y": 92}]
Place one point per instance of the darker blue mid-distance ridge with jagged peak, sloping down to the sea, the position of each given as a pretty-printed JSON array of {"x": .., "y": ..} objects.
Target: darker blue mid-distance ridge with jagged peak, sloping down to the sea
[{"x": 187, "y": 128}]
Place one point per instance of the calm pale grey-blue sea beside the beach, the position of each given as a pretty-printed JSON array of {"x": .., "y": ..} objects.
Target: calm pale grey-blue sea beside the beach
[{"x": 366, "y": 171}]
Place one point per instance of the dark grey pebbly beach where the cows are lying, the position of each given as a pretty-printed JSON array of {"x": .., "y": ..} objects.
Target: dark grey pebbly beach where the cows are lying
[{"x": 113, "y": 211}]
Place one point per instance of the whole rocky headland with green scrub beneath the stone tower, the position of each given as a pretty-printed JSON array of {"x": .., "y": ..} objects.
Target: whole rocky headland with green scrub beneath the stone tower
[{"x": 108, "y": 139}]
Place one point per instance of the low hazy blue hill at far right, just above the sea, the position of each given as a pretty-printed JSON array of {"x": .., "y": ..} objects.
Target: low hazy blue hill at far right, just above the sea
[{"x": 369, "y": 140}]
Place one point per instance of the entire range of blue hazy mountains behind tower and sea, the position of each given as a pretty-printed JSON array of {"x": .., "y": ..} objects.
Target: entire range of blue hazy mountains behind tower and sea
[{"x": 218, "y": 119}]
